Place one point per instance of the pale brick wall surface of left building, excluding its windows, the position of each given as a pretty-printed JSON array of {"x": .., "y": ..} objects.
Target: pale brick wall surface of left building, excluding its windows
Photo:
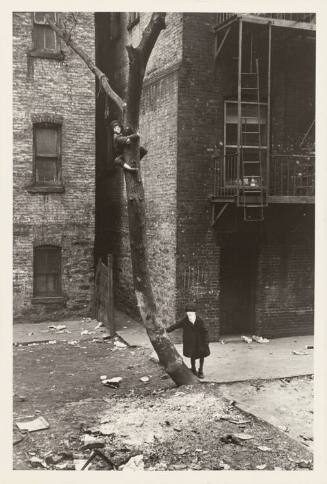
[{"x": 65, "y": 89}]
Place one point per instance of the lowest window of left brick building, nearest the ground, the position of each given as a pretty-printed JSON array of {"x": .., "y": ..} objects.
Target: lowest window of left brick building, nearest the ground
[{"x": 47, "y": 271}]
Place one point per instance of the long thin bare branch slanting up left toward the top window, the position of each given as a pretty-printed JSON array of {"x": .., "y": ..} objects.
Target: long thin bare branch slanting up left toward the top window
[{"x": 63, "y": 34}]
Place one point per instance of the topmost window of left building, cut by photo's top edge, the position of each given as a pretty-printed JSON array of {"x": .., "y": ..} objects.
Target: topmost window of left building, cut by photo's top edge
[{"x": 44, "y": 38}]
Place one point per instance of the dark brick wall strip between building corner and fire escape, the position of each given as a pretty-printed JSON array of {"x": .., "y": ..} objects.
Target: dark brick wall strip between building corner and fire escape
[{"x": 197, "y": 252}]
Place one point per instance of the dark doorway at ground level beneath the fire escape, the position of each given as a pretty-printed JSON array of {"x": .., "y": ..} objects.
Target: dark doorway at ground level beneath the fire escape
[{"x": 237, "y": 296}]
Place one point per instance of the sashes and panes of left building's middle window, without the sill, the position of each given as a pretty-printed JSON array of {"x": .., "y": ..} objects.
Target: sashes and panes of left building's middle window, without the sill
[{"x": 47, "y": 154}]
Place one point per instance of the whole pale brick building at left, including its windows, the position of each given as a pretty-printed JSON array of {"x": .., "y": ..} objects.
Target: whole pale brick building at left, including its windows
[{"x": 54, "y": 169}]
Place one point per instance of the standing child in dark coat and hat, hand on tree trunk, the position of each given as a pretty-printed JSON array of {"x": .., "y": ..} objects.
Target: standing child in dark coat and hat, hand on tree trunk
[{"x": 195, "y": 338}]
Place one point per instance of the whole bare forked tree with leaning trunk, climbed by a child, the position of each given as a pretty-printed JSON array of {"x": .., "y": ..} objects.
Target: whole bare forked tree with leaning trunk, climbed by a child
[{"x": 130, "y": 113}]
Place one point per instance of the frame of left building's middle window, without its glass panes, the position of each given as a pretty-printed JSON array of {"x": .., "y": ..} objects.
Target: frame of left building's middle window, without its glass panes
[{"x": 58, "y": 157}]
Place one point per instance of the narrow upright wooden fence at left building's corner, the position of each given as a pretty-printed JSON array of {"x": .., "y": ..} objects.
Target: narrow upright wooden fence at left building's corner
[{"x": 104, "y": 300}]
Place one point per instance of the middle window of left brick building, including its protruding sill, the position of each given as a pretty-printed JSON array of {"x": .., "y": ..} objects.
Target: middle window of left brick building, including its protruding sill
[{"x": 47, "y": 158}]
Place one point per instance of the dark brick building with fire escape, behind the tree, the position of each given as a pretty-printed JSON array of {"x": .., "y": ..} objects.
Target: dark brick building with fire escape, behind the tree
[{"x": 227, "y": 117}]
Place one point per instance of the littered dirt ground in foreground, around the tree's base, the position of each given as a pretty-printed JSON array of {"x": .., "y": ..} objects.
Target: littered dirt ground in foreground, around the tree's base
[{"x": 187, "y": 428}]
